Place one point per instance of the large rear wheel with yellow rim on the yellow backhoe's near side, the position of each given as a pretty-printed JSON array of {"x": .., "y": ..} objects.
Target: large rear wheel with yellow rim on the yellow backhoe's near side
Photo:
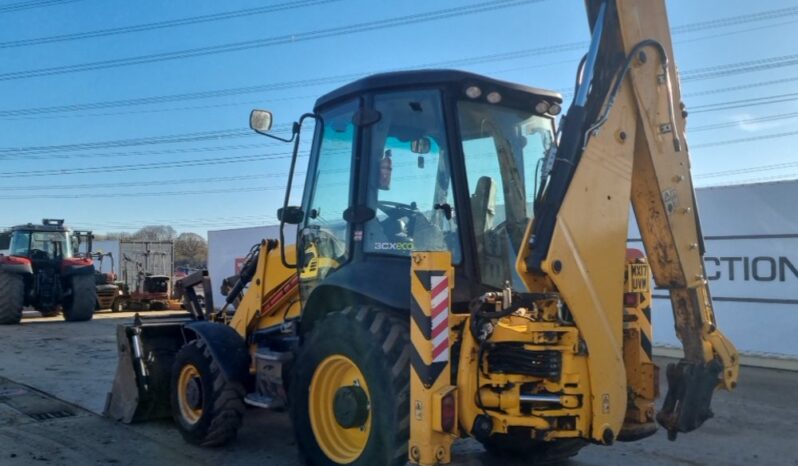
[{"x": 350, "y": 389}]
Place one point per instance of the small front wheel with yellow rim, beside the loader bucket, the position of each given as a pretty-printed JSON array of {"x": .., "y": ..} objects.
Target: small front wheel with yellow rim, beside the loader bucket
[{"x": 206, "y": 407}]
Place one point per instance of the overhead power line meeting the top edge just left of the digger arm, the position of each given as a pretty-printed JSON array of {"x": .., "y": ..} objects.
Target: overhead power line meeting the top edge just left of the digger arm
[{"x": 272, "y": 41}]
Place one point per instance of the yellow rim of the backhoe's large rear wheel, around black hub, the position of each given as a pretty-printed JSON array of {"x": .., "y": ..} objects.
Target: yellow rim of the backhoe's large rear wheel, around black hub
[{"x": 341, "y": 444}]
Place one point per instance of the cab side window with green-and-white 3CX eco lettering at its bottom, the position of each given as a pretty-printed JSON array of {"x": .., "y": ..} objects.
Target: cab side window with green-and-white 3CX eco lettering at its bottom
[{"x": 409, "y": 184}]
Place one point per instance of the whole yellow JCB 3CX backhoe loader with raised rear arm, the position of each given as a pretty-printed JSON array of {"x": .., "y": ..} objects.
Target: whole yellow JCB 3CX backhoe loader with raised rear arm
[{"x": 461, "y": 270}]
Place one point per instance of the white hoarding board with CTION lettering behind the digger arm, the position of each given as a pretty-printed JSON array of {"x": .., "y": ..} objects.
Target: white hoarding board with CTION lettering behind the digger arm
[{"x": 751, "y": 261}]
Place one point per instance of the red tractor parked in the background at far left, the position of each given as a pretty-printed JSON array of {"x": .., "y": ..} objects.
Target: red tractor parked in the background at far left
[{"x": 38, "y": 268}]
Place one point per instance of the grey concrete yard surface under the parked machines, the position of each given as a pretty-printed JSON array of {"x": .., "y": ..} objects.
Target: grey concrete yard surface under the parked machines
[{"x": 54, "y": 377}]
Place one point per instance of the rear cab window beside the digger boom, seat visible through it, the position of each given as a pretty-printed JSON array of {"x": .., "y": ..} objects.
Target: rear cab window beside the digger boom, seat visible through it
[{"x": 503, "y": 149}]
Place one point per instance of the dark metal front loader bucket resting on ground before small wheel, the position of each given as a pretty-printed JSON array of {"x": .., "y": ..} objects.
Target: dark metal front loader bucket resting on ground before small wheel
[{"x": 146, "y": 353}]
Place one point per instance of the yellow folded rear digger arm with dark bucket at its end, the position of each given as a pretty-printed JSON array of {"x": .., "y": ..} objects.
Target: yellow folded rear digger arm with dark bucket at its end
[{"x": 624, "y": 140}]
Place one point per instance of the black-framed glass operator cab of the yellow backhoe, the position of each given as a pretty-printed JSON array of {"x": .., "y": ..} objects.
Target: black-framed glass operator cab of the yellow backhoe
[{"x": 426, "y": 160}]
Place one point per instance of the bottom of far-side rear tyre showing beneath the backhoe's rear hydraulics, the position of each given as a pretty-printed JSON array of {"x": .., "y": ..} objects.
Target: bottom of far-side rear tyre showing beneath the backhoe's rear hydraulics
[{"x": 519, "y": 445}]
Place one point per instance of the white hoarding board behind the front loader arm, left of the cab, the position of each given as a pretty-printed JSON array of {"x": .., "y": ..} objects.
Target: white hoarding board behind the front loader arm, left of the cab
[{"x": 227, "y": 249}]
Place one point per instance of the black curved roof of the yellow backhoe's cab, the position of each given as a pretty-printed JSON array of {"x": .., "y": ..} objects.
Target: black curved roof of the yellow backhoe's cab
[{"x": 426, "y": 78}]
